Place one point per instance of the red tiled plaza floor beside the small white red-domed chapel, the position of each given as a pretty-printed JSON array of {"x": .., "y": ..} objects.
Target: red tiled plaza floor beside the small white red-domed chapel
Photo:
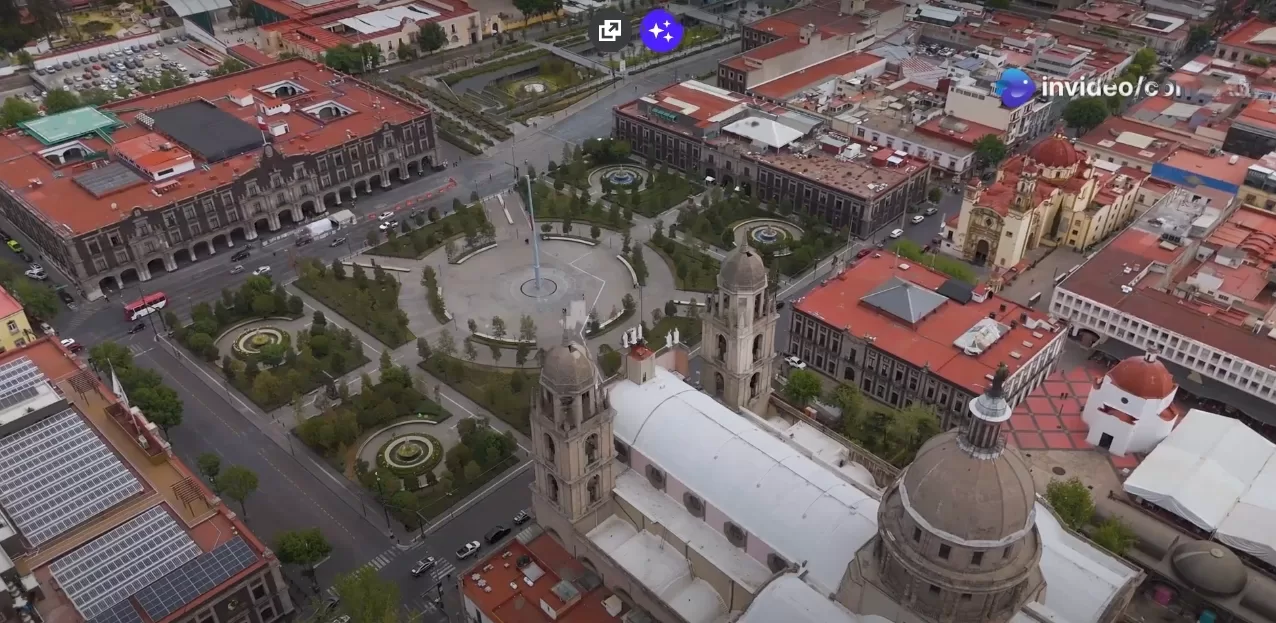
[{"x": 1051, "y": 417}]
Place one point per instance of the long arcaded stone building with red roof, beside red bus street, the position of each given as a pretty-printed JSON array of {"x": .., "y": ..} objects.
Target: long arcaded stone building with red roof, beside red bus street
[{"x": 147, "y": 186}]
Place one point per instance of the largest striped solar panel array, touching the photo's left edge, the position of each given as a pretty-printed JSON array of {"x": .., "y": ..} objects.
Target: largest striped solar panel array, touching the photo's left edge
[{"x": 57, "y": 474}]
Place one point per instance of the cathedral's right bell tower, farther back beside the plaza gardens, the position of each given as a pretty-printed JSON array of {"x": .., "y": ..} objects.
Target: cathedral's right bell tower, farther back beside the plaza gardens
[{"x": 739, "y": 334}]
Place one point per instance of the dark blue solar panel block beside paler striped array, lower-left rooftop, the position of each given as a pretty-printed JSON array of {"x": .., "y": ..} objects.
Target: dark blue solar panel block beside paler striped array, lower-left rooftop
[{"x": 196, "y": 579}]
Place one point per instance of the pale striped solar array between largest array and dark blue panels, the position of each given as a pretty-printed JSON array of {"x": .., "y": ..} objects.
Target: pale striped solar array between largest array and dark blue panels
[{"x": 110, "y": 569}]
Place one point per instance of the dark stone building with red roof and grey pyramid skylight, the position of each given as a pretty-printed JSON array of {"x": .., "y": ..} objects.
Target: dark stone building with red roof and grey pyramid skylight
[{"x": 905, "y": 334}]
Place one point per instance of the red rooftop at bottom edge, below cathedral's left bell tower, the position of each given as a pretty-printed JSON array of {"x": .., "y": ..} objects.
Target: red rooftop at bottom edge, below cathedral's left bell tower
[{"x": 512, "y": 601}]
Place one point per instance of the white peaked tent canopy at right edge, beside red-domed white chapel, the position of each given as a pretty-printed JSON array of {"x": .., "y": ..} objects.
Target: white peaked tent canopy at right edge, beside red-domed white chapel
[{"x": 1218, "y": 474}]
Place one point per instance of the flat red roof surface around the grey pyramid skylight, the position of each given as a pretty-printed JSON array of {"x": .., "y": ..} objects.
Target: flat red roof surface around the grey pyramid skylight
[{"x": 930, "y": 343}]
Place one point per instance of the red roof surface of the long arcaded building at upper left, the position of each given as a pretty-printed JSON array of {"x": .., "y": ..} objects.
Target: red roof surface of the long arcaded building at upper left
[{"x": 52, "y": 190}]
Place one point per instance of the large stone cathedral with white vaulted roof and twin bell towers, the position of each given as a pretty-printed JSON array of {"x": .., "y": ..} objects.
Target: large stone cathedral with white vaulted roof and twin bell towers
[{"x": 692, "y": 507}]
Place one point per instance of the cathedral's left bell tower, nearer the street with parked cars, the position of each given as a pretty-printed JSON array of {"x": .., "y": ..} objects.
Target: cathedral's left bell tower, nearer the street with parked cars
[{"x": 572, "y": 441}]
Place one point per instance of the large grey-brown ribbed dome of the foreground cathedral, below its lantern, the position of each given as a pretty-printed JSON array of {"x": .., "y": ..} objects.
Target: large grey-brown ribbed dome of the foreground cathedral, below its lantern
[{"x": 969, "y": 496}]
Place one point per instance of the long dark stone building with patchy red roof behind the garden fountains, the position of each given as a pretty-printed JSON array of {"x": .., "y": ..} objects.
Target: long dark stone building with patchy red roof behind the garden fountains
[{"x": 774, "y": 154}]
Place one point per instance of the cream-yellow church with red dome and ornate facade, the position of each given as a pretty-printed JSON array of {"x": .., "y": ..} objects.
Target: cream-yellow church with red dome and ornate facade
[{"x": 1055, "y": 196}]
